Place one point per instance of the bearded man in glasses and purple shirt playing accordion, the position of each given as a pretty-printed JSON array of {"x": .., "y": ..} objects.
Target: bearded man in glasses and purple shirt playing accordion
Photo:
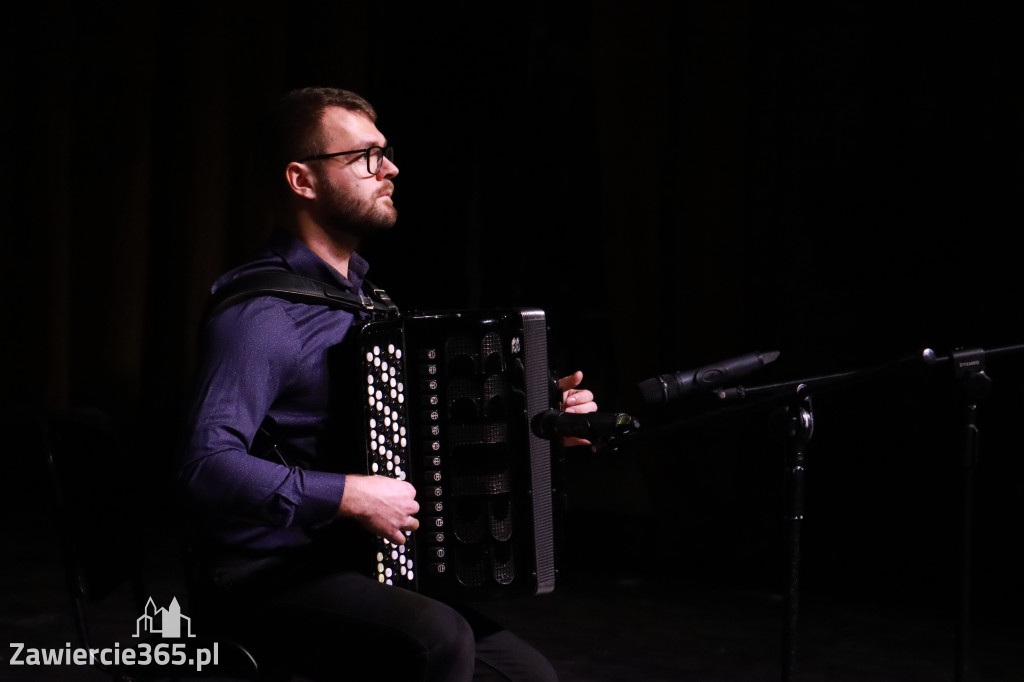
[{"x": 263, "y": 393}]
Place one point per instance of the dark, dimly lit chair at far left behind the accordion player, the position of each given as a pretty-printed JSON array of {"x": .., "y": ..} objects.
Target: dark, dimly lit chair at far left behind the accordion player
[{"x": 100, "y": 504}]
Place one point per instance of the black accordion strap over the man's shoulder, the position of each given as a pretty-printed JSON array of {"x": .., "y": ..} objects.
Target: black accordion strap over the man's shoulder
[{"x": 297, "y": 288}]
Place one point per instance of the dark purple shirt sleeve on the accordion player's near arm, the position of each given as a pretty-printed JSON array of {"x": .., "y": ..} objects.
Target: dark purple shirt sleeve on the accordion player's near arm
[{"x": 247, "y": 357}]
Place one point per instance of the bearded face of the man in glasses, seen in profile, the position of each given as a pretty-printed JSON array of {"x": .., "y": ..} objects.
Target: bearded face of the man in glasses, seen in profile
[{"x": 349, "y": 198}]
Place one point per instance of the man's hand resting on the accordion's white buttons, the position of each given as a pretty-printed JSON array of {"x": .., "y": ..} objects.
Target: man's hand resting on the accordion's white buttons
[{"x": 385, "y": 506}]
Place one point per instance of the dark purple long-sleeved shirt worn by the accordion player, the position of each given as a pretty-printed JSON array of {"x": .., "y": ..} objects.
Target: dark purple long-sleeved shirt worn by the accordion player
[{"x": 263, "y": 362}]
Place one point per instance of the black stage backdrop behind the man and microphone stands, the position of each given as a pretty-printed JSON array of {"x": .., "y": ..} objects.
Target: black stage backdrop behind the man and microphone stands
[{"x": 674, "y": 184}]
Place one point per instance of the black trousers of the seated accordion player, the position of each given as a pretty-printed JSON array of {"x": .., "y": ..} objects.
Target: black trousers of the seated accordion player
[{"x": 303, "y": 617}]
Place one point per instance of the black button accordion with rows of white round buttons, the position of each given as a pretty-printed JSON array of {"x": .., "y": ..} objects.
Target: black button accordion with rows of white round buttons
[{"x": 448, "y": 406}]
